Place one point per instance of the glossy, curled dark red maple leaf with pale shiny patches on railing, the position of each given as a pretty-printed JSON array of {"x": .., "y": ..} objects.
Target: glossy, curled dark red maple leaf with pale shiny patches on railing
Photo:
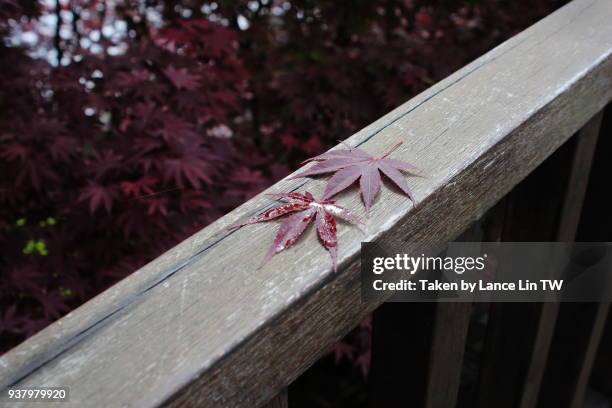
[{"x": 304, "y": 208}]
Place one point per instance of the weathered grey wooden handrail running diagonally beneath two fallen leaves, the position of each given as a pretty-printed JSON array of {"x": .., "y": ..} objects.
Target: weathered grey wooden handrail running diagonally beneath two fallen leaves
[{"x": 203, "y": 320}]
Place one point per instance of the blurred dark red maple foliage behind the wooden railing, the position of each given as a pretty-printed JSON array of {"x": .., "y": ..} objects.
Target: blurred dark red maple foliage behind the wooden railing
[{"x": 126, "y": 126}]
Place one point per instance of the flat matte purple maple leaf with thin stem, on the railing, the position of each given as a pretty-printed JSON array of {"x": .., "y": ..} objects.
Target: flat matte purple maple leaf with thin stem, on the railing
[{"x": 352, "y": 164}]
